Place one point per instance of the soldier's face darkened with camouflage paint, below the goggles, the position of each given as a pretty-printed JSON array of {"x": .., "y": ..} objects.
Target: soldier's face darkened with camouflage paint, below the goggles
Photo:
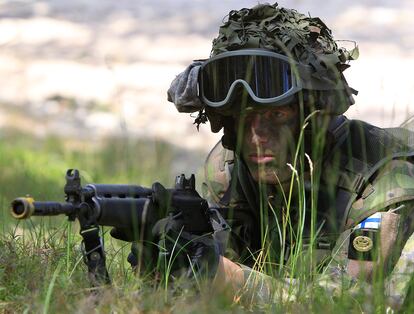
[{"x": 269, "y": 142}]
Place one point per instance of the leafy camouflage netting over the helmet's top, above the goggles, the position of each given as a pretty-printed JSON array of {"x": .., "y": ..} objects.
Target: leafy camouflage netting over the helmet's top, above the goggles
[{"x": 286, "y": 31}]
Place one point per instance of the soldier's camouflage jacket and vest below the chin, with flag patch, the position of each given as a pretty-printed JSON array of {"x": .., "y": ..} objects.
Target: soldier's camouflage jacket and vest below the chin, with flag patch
[{"x": 364, "y": 201}]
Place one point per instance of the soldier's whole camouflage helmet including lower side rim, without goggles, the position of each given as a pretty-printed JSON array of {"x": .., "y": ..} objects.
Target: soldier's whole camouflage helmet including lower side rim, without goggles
[{"x": 305, "y": 39}]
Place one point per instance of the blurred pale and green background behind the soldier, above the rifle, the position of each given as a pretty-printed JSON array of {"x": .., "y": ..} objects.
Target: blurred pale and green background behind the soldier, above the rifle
[{"x": 83, "y": 83}]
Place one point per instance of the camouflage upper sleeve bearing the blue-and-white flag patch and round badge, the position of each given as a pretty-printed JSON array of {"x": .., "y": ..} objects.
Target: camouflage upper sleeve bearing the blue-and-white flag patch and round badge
[{"x": 382, "y": 216}]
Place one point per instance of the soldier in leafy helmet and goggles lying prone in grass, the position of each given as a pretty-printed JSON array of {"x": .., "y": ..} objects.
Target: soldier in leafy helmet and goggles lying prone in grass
[{"x": 304, "y": 189}]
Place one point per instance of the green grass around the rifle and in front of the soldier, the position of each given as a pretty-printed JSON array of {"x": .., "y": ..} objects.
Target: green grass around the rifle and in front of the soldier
[{"x": 41, "y": 267}]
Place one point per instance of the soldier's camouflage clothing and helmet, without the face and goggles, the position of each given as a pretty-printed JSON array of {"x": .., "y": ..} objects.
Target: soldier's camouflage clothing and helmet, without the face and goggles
[{"x": 364, "y": 176}]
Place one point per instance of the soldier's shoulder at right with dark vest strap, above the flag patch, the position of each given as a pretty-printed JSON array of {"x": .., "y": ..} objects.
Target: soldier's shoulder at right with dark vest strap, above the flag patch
[{"x": 377, "y": 166}]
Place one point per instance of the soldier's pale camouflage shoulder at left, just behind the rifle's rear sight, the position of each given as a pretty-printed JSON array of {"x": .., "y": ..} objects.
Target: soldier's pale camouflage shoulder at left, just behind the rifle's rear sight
[{"x": 217, "y": 172}]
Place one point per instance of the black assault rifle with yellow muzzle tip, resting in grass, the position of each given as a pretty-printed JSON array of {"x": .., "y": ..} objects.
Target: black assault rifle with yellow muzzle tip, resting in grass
[{"x": 131, "y": 209}]
